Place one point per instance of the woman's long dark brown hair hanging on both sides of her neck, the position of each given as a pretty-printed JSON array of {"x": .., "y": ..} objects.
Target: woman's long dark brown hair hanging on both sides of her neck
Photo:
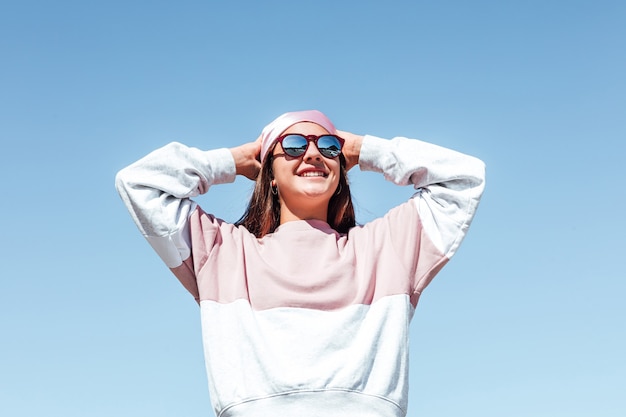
[{"x": 263, "y": 213}]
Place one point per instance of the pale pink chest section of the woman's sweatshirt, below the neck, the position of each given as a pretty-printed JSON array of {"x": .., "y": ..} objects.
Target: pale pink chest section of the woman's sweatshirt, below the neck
[{"x": 279, "y": 271}]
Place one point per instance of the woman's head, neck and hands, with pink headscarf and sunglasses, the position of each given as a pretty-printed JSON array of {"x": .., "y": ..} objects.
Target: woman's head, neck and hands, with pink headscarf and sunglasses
[{"x": 303, "y": 174}]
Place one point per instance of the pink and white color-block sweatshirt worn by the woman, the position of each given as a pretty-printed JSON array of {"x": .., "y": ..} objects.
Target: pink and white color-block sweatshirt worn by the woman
[{"x": 305, "y": 321}]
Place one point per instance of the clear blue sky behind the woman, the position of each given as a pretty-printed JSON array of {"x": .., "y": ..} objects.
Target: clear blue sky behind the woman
[{"x": 527, "y": 320}]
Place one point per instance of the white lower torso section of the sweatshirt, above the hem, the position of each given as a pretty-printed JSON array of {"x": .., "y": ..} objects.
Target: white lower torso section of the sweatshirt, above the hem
[{"x": 253, "y": 355}]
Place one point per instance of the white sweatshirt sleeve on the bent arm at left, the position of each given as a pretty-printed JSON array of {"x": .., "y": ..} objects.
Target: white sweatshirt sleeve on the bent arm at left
[{"x": 157, "y": 191}]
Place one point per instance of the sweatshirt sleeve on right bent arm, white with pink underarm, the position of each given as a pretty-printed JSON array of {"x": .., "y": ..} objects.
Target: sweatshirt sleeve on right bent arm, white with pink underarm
[{"x": 448, "y": 187}]
